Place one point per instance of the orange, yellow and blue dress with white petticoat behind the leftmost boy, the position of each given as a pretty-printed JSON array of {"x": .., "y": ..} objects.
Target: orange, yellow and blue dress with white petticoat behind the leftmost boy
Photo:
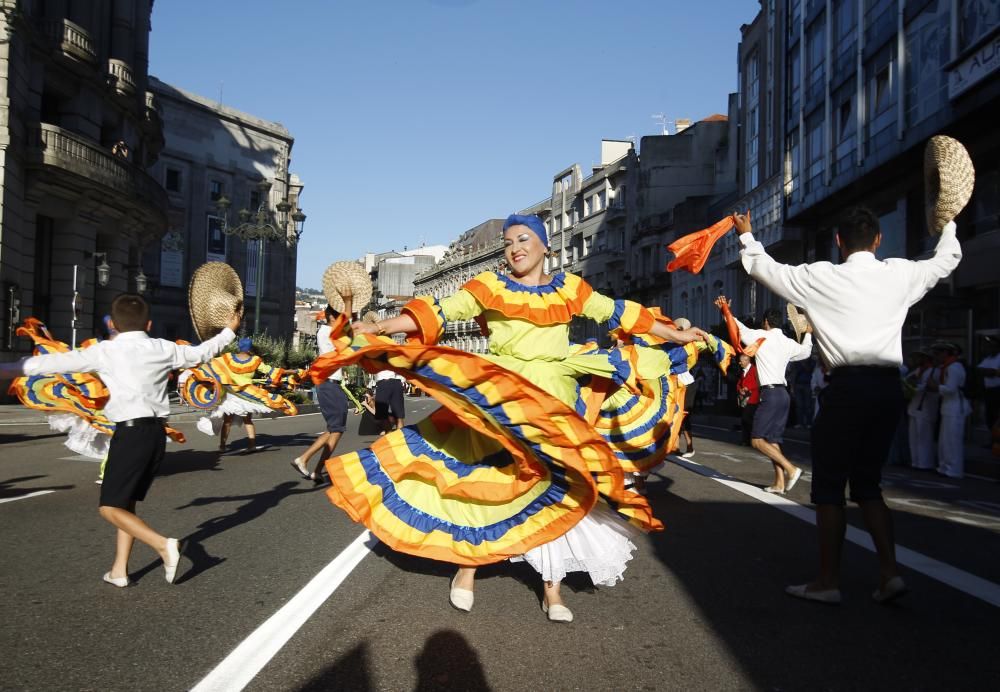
[{"x": 74, "y": 402}]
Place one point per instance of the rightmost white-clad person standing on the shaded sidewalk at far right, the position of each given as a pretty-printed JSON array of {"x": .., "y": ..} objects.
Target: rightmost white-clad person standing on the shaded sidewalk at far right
[{"x": 954, "y": 409}]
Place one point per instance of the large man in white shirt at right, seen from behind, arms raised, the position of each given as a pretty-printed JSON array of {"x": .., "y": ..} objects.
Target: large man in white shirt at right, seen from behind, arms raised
[{"x": 857, "y": 309}]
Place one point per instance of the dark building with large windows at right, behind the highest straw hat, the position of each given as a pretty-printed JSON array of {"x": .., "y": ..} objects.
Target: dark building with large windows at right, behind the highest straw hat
[{"x": 858, "y": 88}]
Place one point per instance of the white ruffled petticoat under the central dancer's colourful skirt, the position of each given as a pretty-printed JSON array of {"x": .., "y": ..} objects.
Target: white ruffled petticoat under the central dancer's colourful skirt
[{"x": 600, "y": 544}]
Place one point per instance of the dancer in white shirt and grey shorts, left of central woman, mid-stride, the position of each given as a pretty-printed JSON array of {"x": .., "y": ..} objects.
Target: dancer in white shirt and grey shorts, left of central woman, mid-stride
[{"x": 331, "y": 397}]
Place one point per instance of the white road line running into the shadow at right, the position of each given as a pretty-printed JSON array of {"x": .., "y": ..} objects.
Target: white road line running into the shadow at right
[{"x": 952, "y": 576}]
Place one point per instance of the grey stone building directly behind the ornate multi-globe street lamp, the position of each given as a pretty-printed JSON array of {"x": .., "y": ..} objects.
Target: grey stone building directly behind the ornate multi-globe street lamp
[{"x": 213, "y": 152}]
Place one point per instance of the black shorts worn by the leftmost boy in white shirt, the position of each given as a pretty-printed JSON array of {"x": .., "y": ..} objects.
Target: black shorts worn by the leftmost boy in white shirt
[{"x": 134, "y": 459}]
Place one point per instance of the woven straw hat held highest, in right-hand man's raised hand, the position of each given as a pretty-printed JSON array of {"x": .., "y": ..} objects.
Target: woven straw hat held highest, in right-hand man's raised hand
[{"x": 949, "y": 178}]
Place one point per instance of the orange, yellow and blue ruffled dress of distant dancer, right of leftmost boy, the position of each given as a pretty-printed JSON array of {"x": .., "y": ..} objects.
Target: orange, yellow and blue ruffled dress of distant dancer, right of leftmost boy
[{"x": 226, "y": 386}]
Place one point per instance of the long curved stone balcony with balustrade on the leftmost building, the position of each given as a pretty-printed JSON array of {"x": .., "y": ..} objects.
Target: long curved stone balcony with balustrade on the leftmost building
[{"x": 88, "y": 164}]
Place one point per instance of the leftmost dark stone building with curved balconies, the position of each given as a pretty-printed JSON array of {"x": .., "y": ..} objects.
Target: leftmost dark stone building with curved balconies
[{"x": 79, "y": 129}]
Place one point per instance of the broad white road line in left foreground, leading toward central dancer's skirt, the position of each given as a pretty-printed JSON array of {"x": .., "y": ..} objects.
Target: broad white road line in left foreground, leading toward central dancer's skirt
[{"x": 250, "y": 657}]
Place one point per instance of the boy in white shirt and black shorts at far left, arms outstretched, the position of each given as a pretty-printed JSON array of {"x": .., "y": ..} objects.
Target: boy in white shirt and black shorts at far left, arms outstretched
[{"x": 135, "y": 369}]
